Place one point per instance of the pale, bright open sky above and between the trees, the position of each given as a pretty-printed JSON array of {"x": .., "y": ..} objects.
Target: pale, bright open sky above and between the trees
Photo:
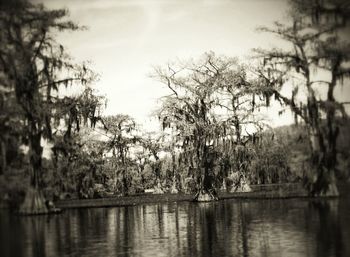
[{"x": 125, "y": 38}]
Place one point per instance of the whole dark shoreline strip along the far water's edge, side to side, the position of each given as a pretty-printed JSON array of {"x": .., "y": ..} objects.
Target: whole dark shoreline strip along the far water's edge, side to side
[{"x": 264, "y": 191}]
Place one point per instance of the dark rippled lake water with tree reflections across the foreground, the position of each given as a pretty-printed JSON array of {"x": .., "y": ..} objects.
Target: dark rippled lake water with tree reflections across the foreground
[{"x": 291, "y": 227}]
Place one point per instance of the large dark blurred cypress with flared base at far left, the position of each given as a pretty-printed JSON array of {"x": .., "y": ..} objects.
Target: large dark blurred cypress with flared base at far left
[{"x": 33, "y": 69}]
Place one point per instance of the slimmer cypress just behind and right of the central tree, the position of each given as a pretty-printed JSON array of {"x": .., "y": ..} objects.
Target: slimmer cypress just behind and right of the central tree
[{"x": 241, "y": 96}]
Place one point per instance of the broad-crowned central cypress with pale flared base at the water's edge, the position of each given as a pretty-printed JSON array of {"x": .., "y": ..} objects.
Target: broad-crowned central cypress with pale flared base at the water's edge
[{"x": 194, "y": 112}]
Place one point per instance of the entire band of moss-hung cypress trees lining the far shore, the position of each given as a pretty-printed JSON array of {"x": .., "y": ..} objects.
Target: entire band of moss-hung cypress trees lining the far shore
[{"x": 212, "y": 133}]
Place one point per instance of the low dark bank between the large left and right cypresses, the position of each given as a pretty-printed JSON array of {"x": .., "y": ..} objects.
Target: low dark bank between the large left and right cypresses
[{"x": 290, "y": 190}]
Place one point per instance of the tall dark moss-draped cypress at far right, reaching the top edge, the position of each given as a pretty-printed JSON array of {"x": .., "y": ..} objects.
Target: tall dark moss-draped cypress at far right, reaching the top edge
[{"x": 318, "y": 47}]
